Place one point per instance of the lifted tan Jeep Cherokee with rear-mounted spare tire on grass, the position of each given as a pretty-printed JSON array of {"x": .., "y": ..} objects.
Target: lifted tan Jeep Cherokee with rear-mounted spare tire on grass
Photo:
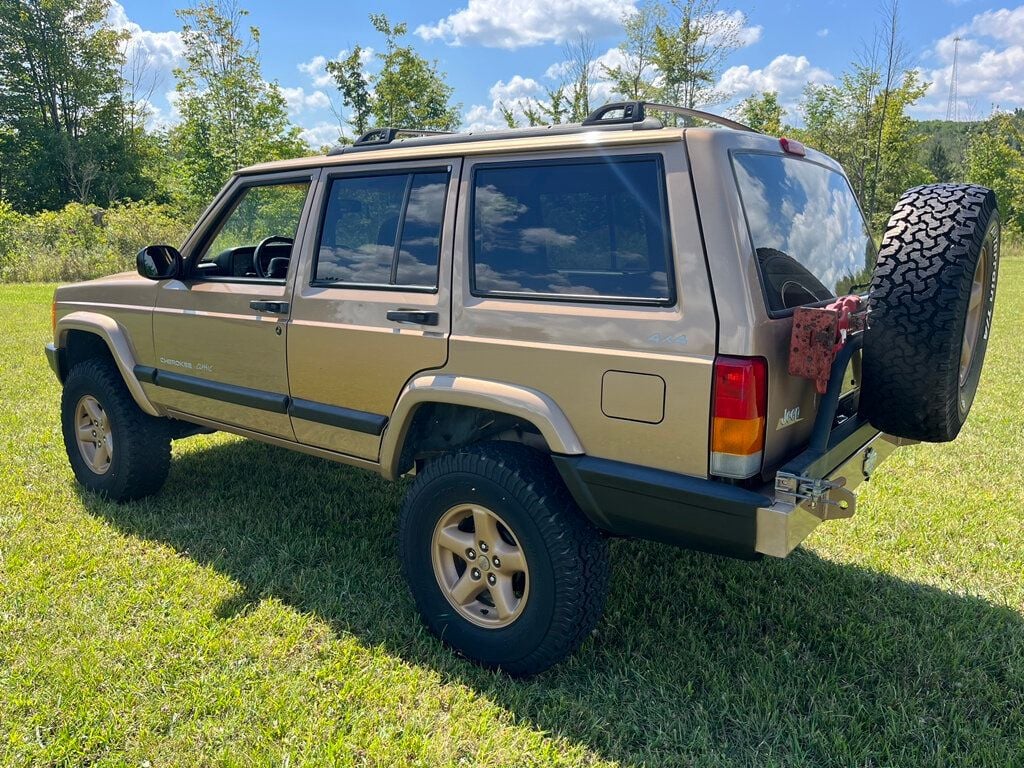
[{"x": 616, "y": 328}]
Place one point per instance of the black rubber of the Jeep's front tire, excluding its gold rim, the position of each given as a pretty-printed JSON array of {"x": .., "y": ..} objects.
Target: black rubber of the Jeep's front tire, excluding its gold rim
[{"x": 142, "y": 455}]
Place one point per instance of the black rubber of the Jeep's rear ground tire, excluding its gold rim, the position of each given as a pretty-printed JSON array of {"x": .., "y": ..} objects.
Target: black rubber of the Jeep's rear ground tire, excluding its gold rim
[{"x": 567, "y": 557}]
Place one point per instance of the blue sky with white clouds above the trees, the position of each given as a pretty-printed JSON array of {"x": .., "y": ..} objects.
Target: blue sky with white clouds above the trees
[{"x": 508, "y": 51}]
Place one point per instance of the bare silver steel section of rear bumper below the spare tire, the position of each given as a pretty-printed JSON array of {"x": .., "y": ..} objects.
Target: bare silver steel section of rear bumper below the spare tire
[{"x": 803, "y": 501}]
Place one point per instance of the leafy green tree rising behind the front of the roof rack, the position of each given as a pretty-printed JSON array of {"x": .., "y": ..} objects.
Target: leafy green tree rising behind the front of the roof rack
[{"x": 409, "y": 92}]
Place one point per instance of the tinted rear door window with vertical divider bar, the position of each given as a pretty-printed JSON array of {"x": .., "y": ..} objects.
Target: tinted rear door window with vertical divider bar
[{"x": 383, "y": 231}]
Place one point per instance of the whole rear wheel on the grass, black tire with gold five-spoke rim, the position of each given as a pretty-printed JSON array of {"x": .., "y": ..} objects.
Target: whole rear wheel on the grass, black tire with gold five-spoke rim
[{"x": 500, "y": 561}]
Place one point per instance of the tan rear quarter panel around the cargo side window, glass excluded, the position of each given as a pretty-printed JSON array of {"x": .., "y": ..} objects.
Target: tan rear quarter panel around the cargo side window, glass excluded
[{"x": 569, "y": 350}]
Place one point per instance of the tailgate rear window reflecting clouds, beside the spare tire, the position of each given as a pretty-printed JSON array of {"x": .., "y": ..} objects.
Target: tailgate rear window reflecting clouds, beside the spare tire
[{"x": 808, "y": 233}]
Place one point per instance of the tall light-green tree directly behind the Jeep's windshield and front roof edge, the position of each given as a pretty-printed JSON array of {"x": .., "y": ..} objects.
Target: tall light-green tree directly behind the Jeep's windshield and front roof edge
[{"x": 231, "y": 116}]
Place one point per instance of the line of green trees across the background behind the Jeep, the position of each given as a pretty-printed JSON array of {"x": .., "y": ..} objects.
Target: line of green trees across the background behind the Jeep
[{"x": 76, "y": 124}]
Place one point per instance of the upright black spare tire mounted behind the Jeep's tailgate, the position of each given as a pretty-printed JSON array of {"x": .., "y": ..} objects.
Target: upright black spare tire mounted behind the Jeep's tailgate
[{"x": 914, "y": 386}]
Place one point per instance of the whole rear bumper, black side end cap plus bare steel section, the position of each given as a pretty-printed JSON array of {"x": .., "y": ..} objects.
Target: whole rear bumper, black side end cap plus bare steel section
[{"x": 715, "y": 517}]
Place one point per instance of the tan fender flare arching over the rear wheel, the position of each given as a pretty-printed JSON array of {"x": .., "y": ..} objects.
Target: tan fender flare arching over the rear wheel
[{"x": 528, "y": 404}]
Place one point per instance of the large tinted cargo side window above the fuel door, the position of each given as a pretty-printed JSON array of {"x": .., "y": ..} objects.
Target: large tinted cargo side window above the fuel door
[{"x": 589, "y": 232}]
